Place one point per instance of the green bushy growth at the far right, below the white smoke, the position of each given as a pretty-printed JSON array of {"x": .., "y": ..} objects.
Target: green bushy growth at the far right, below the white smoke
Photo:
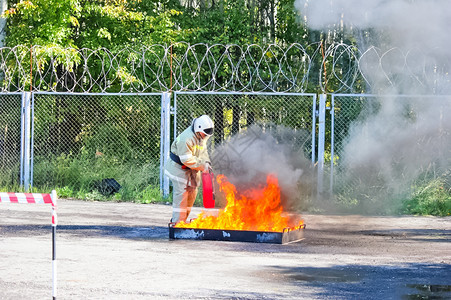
[{"x": 430, "y": 198}]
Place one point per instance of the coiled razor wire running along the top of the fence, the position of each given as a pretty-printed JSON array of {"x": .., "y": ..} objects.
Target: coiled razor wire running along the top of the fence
[{"x": 202, "y": 67}]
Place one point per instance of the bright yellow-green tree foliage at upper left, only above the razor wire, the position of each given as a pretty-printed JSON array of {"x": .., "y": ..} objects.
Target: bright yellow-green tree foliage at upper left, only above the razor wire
[{"x": 77, "y": 23}]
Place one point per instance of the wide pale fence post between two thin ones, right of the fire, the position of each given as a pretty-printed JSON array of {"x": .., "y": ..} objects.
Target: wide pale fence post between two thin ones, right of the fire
[{"x": 321, "y": 139}]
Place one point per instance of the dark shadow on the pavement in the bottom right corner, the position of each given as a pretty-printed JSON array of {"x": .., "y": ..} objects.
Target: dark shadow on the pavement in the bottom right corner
[{"x": 406, "y": 281}]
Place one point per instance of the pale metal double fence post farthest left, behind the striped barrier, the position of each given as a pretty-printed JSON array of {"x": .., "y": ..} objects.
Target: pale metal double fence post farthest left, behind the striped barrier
[{"x": 25, "y": 138}]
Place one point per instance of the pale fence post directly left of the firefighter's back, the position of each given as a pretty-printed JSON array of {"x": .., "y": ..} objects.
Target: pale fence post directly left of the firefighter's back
[{"x": 165, "y": 140}]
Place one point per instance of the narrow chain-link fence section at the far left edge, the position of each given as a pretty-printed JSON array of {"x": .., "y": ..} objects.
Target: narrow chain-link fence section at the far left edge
[{"x": 10, "y": 129}]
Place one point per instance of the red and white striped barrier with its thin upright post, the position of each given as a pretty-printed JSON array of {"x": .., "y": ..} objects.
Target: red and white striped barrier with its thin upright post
[{"x": 39, "y": 199}]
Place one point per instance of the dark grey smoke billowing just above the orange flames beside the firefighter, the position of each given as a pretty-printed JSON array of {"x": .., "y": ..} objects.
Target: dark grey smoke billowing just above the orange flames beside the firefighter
[{"x": 249, "y": 156}]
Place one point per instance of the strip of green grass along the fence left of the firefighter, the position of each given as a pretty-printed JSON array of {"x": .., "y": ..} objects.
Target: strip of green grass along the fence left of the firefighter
[{"x": 76, "y": 177}]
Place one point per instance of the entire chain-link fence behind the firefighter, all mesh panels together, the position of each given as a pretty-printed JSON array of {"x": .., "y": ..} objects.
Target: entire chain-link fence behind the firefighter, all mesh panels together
[{"x": 375, "y": 146}]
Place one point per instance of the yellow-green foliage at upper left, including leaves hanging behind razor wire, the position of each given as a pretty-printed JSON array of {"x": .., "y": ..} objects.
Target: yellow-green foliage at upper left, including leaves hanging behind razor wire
[{"x": 59, "y": 27}]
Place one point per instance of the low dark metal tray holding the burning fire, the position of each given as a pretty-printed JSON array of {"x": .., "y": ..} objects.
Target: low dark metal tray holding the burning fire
[{"x": 287, "y": 236}]
